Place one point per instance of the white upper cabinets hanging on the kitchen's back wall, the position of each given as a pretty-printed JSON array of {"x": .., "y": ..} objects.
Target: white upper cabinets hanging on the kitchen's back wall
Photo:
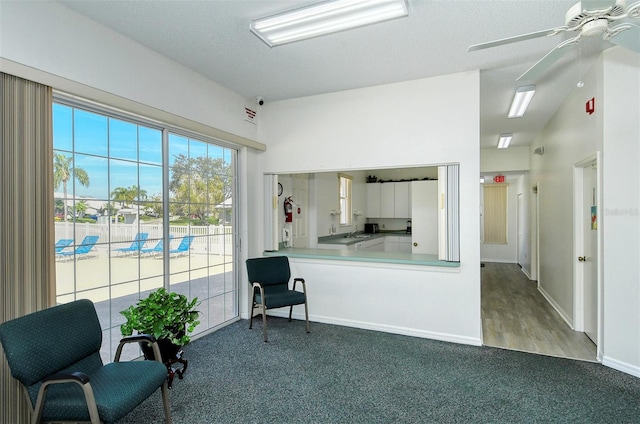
[{"x": 388, "y": 200}]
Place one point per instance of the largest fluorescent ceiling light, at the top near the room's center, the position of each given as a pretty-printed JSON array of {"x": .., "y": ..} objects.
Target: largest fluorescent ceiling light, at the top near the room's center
[{"x": 325, "y": 18}]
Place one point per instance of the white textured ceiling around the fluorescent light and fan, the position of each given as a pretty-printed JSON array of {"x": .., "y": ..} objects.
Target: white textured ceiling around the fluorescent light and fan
[{"x": 213, "y": 38}]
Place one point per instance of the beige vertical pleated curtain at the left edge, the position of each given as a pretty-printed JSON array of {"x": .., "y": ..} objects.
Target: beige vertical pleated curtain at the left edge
[{"x": 27, "y": 275}]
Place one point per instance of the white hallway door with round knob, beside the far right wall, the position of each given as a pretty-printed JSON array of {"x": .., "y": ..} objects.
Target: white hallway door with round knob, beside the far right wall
[{"x": 588, "y": 259}]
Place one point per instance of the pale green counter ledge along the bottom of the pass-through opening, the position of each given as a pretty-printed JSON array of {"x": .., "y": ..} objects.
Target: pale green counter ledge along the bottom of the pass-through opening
[{"x": 364, "y": 256}]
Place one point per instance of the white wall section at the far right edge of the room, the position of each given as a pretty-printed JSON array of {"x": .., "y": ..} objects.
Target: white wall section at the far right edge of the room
[{"x": 621, "y": 220}]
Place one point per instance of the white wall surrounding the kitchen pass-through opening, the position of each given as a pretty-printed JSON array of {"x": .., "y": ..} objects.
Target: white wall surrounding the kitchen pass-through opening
[{"x": 396, "y": 125}]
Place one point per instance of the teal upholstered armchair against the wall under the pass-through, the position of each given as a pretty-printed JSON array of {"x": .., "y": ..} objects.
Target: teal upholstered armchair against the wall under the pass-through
[{"x": 269, "y": 278}]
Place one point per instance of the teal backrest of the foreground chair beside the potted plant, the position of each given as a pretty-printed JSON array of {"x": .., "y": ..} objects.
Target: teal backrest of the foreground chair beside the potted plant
[{"x": 48, "y": 341}]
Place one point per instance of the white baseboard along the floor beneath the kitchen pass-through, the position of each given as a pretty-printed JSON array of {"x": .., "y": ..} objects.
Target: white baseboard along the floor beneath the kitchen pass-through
[{"x": 445, "y": 337}]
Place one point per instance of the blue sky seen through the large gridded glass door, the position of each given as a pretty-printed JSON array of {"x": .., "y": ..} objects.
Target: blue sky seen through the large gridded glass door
[{"x": 126, "y": 153}]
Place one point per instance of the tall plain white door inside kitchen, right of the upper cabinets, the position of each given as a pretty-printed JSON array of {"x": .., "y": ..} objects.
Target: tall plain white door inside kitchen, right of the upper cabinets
[{"x": 424, "y": 217}]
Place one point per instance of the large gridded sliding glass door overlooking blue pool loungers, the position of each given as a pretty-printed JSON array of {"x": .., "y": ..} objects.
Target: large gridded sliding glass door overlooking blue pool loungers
[{"x": 139, "y": 206}]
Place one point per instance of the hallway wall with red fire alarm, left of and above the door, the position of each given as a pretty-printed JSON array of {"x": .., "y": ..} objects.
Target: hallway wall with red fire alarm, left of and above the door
[{"x": 570, "y": 136}]
